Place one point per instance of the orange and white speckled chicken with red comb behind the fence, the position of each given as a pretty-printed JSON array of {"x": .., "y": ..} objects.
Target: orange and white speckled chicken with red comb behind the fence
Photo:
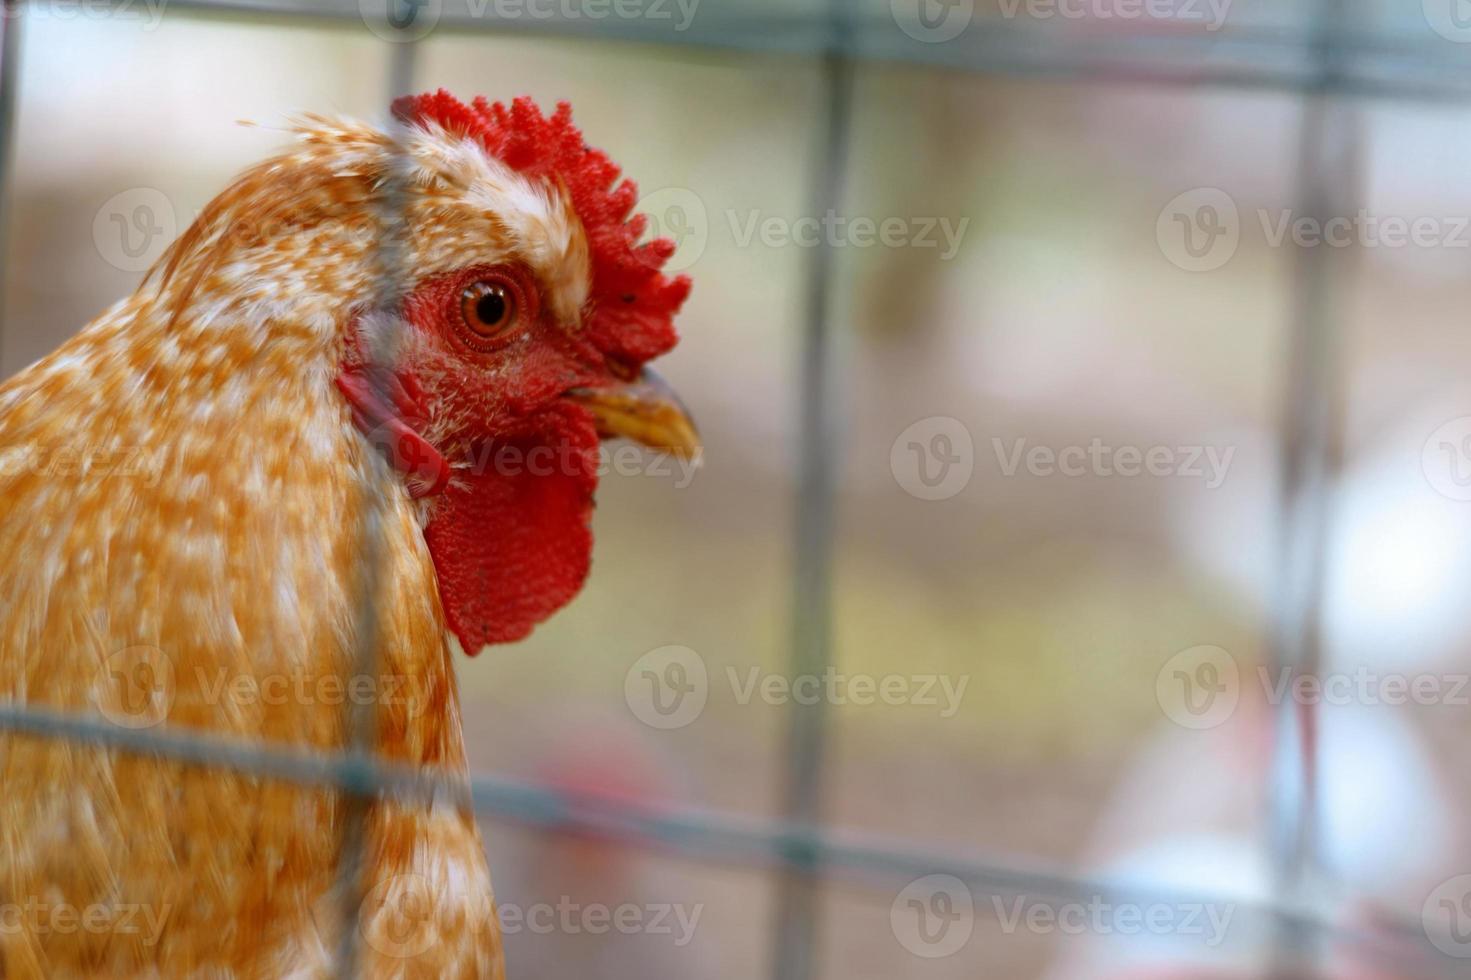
[{"x": 373, "y": 374}]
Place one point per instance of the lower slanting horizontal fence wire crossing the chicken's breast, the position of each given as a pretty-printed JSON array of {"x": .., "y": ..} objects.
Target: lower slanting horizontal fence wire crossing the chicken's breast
[{"x": 710, "y": 837}]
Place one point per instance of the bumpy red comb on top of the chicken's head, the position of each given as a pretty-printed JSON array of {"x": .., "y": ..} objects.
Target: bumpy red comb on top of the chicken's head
[{"x": 632, "y": 304}]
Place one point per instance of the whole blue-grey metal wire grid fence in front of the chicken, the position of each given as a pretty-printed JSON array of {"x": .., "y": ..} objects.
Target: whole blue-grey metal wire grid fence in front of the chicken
[{"x": 1331, "y": 61}]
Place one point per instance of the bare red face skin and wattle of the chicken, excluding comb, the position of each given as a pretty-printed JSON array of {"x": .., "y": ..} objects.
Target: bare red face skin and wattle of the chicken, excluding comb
[{"x": 480, "y": 425}]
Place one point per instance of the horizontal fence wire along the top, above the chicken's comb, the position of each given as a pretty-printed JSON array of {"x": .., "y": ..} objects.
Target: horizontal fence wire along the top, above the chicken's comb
[{"x": 1407, "y": 61}]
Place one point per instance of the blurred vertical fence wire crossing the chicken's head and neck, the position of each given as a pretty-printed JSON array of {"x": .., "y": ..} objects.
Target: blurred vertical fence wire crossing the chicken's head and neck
[{"x": 363, "y": 714}]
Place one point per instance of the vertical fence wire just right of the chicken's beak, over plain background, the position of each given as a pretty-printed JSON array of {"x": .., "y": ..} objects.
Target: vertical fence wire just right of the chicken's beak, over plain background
[{"x": 799, "y": 890}]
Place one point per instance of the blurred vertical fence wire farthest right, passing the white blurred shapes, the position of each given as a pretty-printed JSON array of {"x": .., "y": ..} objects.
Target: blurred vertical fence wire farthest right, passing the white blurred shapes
[{"x": 1311, "y": 460}]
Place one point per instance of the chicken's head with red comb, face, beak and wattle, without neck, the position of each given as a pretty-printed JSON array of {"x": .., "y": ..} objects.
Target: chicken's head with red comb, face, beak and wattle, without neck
[{"x": 521, "y": 342}]
